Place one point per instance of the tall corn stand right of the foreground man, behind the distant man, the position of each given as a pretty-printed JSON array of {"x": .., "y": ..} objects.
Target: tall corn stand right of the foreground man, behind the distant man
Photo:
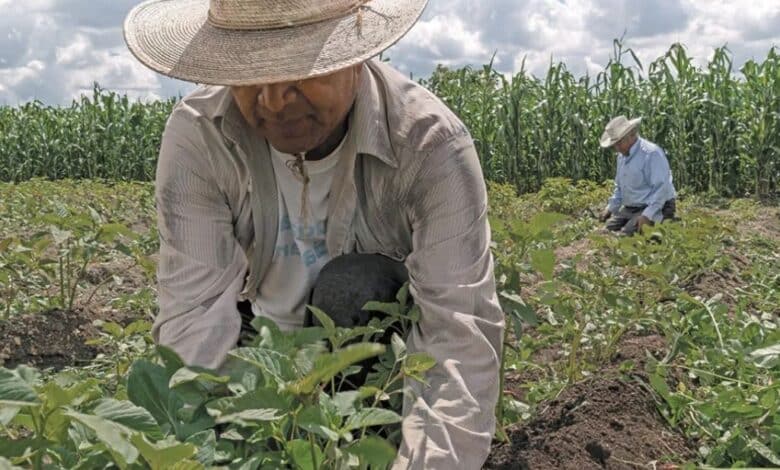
[{"x": 720, "y": 131}]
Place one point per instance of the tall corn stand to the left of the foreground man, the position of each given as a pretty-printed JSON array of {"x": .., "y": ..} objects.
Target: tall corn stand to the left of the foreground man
[{"x": 102, "y": 136}]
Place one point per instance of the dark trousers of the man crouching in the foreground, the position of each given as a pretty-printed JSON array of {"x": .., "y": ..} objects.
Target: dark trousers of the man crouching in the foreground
[{"x": 343, "y": 287}]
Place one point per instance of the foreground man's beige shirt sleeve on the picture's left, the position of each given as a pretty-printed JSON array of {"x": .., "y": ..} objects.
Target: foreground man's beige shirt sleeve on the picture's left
[{"x": 202, "y": 265}]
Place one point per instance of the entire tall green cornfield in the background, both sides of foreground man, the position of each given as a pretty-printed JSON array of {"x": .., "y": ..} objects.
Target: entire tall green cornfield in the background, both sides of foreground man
[{"x": 720, "y": 128}]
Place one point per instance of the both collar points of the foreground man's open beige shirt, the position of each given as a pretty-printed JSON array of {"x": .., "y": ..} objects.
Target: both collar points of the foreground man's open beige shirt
[{"x": 367, "y": 119}]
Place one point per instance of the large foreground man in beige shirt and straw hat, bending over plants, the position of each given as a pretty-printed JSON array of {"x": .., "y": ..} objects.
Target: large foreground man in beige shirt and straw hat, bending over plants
[{"x": 303, "y": 159}]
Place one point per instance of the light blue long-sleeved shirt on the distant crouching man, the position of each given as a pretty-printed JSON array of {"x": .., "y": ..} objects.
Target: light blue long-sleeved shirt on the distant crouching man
[{"x": 643, "y": 178}]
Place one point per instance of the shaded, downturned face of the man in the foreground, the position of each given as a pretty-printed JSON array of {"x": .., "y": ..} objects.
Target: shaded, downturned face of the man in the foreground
[{"x": 299, "y": 116}]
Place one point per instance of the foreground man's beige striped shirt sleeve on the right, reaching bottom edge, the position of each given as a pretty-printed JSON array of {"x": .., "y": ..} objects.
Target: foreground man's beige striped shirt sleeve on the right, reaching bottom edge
[{"x": 449, "y": 423}]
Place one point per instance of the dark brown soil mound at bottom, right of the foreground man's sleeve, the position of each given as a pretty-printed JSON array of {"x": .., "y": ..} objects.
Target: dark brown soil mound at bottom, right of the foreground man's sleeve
[{"x": 608, "y": 421}]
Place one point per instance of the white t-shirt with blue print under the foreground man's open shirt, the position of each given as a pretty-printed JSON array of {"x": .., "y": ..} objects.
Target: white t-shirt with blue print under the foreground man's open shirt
[{"x": 300, "y": 251}]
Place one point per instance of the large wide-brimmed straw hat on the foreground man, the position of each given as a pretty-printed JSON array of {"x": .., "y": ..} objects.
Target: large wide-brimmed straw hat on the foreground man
[{"x": 247, "y": 42}]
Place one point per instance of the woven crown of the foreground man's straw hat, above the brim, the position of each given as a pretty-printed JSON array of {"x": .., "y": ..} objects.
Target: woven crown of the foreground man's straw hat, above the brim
[{"x": 272, "y": 14}]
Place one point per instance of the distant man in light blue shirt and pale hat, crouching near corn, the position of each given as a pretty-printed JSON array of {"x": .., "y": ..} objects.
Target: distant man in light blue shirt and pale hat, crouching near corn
[{"x": 644, "y": 193}]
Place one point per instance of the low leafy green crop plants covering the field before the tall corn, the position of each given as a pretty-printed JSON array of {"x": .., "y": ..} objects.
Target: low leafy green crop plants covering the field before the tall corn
[{"x": 282, "y": 402}]
